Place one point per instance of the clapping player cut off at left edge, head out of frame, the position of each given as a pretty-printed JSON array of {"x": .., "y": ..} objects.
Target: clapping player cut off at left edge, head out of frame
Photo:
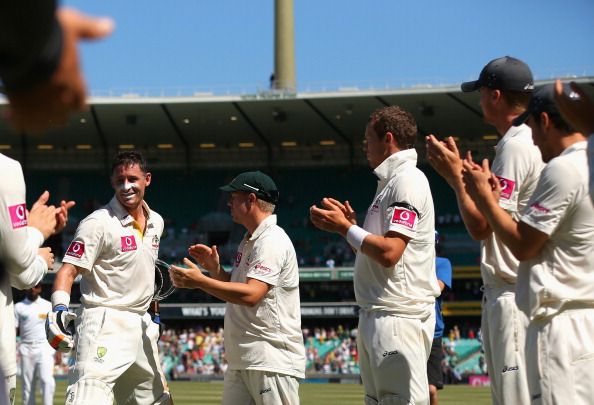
[{"x": 24, "y": 261}]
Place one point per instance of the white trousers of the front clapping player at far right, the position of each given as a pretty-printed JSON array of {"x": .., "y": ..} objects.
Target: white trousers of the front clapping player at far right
[{"x": 560, "y": 358}]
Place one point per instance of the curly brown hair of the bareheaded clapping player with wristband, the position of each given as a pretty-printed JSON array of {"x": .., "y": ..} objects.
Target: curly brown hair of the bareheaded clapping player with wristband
[{"x": 399, "y": 122}]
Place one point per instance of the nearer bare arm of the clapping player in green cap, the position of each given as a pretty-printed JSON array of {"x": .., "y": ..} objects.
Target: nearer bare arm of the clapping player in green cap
[{"x": 249, "y": 293}]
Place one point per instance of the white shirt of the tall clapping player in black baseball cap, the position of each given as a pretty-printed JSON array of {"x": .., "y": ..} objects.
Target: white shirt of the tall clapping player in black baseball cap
[{"x": 517, "y": 164}]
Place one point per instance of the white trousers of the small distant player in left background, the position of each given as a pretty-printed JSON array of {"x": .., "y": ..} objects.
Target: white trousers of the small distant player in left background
[{"x": 37, "y": 357}]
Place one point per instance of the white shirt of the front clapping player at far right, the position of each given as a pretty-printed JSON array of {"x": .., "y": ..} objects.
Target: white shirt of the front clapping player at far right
[{"x": 562, "y": 273}]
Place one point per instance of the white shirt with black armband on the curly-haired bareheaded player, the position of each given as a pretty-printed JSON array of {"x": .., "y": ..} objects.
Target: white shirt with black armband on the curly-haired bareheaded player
[{"x": 402, "y": 204}]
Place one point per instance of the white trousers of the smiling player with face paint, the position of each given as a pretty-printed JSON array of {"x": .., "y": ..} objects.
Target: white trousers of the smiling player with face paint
[{"x": 116, "y": 356}]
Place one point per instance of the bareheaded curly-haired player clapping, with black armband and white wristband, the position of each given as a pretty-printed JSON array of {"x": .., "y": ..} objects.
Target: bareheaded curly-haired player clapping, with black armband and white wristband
[{"x": 394, "y": 277}]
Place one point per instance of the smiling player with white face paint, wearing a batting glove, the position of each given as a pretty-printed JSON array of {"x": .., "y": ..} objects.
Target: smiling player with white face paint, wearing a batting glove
[{"x": 114, "y": 250}]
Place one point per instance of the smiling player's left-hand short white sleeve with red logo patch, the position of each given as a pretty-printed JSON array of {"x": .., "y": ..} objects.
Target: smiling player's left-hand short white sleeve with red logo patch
[{"x": 86, "y": 245}]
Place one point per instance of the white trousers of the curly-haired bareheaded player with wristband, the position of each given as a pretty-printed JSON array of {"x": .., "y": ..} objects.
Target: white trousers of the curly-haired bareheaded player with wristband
[{"x": 393, "y": 354}]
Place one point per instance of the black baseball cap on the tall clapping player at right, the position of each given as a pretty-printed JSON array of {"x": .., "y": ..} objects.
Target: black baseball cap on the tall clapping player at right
[{"x": 505, "y": 73}]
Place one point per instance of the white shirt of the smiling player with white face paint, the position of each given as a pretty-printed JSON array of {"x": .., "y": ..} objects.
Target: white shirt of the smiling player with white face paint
[{"x": 118, "y": 264}]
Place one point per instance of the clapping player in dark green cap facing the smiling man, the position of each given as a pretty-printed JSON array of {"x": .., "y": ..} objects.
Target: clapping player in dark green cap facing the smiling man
[{"x": 263, "y": 337}]
